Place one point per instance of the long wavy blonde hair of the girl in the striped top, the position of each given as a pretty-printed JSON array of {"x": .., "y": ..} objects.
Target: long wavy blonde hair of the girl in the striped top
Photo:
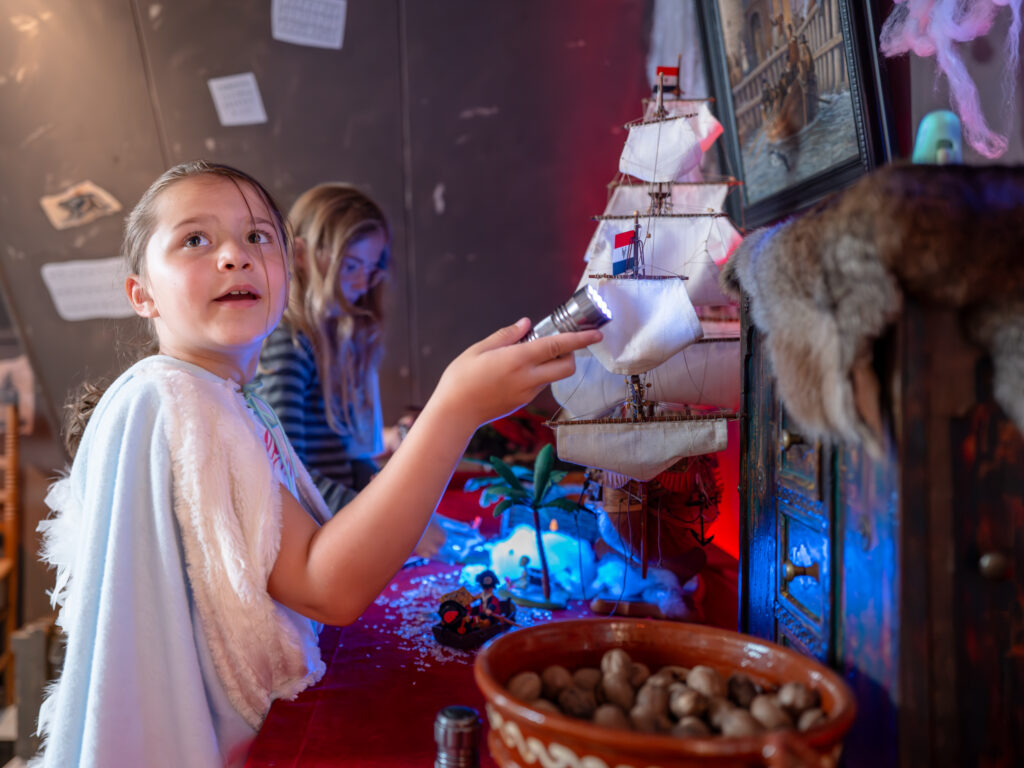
[{"x": 346, "y": 337}]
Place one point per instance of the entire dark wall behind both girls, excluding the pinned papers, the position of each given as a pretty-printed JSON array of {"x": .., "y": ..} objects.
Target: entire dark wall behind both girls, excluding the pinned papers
[{"x": 487, "y": 132}]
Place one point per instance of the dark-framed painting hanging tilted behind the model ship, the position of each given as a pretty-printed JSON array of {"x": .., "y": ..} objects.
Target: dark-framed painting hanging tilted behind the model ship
[{"x": 798, "y": 92}]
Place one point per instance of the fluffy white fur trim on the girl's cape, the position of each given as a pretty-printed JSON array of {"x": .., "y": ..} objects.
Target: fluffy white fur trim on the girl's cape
[{"x": 227, "y": 503}]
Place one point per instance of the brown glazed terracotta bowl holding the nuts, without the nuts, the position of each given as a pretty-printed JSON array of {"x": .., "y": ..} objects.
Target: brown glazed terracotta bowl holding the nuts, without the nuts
[{"x": 523, "y": 736}]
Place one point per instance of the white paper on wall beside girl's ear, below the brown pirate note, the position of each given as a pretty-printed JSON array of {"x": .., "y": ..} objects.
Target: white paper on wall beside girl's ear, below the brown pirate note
[{"x": 89, "y": 289}]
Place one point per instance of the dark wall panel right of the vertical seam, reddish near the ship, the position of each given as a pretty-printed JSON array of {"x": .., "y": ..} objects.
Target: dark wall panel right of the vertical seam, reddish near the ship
[{"x": 517, "y": 114}]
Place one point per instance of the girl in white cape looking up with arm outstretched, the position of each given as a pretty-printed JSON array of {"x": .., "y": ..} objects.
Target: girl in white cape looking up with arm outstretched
[{"x": 195, "y": 556}]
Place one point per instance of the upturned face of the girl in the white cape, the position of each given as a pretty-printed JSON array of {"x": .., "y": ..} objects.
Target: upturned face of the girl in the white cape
[{"x": 217, "y": 279}]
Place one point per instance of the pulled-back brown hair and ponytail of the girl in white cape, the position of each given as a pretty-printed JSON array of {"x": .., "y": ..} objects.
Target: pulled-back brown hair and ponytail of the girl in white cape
[{"x": 139, "y": 229}]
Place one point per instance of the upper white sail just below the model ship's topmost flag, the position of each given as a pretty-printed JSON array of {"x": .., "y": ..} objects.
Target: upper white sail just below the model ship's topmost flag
[{"x": 661, "y": 151}]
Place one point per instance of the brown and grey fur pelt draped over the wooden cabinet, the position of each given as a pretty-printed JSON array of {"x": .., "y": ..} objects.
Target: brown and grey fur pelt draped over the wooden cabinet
[{"x": 825, "y": 285}]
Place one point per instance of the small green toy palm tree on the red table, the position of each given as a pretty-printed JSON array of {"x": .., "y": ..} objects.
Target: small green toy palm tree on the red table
[{"x": 510, "y": 489}]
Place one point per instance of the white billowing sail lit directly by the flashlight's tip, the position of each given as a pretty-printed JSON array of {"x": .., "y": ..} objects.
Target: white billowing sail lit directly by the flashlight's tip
[{"x": 654, "y": 320}]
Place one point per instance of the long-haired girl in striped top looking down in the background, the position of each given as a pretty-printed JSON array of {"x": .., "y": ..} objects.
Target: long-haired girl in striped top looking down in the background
[{"x": 319, "y": 368}]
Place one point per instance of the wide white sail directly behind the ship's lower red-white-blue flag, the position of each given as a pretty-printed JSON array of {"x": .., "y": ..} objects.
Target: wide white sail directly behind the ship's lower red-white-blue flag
[{"x": 687, "y": 246}]
